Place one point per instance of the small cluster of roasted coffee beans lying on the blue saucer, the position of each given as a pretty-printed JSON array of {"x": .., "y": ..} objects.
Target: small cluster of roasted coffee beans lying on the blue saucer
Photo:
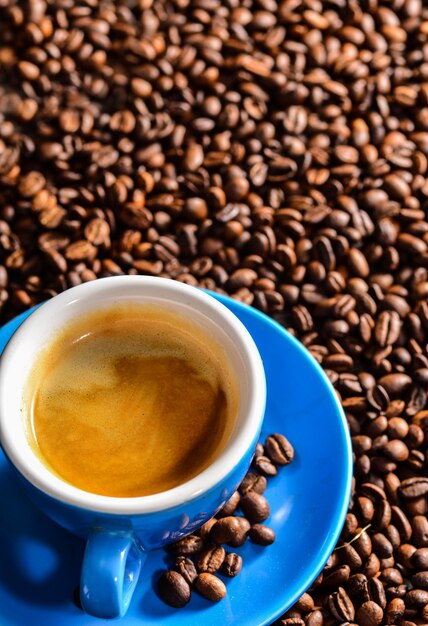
[{"x": 241, "y": 517}]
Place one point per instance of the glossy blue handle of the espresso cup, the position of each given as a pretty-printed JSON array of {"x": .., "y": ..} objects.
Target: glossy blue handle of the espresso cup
[{"x": 110, "y": 571}]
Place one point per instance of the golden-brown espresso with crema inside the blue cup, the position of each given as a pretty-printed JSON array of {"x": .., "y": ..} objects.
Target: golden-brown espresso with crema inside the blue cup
[{"x": 130, "y": 401}]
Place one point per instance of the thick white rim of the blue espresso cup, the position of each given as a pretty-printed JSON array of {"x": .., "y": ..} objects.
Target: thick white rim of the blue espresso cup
[{"x": 26, "y": 460}]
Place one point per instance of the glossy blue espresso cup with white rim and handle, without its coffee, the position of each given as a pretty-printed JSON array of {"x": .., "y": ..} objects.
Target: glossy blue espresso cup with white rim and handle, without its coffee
[{"x": 120, "y": 531}]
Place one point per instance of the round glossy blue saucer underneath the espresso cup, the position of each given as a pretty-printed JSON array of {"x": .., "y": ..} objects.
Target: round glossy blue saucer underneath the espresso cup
[{"x": 40, "y": 562}]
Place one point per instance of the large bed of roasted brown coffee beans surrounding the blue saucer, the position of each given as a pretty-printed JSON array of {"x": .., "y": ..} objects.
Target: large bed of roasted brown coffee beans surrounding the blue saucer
[{"x": 273, "y": 150}]
